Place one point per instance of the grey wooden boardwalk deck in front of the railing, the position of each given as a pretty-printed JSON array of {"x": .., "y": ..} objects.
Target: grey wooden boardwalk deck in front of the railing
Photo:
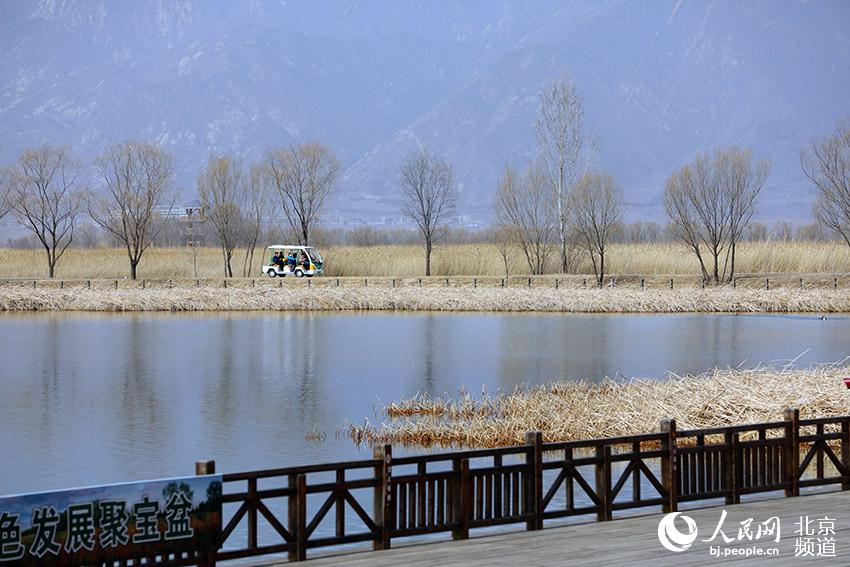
[{"x": 629, "y": 541}]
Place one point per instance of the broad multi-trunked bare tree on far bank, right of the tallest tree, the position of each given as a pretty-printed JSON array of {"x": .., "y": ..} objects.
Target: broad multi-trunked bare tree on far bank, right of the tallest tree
[{"x": 710, "y": 202}]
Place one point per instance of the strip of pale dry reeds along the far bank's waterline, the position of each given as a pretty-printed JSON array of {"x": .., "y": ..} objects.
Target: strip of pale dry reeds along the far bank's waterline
[{"x": 712, "y": 300}]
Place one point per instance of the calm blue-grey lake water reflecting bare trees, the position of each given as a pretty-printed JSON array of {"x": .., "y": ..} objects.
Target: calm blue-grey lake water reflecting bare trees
[{"x": 90, "y": 399}]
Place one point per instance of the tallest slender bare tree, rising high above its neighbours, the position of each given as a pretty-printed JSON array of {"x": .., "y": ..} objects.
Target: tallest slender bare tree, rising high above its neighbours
[{"x": 559, "y": 134}]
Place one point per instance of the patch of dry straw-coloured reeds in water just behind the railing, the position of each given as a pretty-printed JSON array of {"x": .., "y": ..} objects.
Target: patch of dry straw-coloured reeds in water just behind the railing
[{"x": 566, "y": 411}]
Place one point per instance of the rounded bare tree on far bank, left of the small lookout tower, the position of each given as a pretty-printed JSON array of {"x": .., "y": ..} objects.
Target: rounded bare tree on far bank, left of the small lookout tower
[{"x": 137, "y": 179}]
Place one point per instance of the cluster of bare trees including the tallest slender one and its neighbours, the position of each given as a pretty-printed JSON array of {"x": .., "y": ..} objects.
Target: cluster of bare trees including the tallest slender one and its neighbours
[{"x": 559, "y": 197}]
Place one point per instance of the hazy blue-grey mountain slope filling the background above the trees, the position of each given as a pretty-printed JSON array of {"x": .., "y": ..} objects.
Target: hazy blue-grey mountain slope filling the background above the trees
[{"x": 376, "y": 80}]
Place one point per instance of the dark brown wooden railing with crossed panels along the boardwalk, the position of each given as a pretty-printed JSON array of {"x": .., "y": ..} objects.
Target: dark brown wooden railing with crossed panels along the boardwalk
[{"x": 455, "y": 492}]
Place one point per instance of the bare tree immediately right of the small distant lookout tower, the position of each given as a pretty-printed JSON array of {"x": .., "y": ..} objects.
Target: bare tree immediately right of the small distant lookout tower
[{"x": 222, "y": 191}]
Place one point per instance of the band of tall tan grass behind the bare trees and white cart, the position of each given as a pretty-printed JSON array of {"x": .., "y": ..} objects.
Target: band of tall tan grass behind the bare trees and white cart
[{"x": 447, "y": 260}]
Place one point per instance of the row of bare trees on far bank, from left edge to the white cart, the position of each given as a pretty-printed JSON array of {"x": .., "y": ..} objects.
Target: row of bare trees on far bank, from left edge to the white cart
[{"x": 44, "y": 191}]
